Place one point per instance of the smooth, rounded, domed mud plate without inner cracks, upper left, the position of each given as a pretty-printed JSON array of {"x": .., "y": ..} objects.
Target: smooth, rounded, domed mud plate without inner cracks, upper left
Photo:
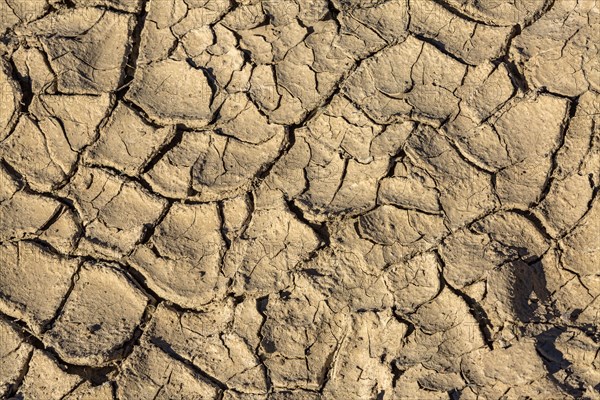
[{"x": 173, "y": 92}]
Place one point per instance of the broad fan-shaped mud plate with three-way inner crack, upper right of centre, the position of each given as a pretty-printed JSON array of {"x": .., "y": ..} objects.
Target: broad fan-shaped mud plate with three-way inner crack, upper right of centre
[{"x": 410, "y": 78}]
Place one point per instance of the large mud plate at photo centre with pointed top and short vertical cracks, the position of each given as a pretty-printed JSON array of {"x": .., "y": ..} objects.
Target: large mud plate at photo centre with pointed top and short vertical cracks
[{"x": 337, "y": 159}]
